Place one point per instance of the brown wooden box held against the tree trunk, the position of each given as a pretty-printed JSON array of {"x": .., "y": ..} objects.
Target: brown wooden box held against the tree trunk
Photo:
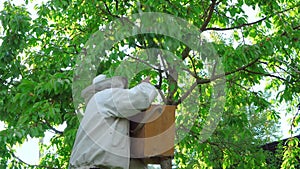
[{"x": 153, "y": 133}]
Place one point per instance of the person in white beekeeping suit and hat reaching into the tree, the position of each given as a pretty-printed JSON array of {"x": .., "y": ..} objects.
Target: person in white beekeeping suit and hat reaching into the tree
[{"x": 102, "y": 139}]
